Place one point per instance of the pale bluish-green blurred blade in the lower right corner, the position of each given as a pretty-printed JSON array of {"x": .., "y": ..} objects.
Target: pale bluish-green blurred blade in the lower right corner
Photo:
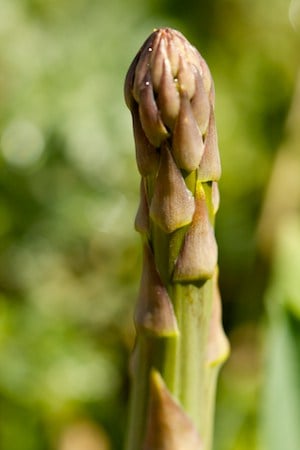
[{"x": 281, "y": 396}]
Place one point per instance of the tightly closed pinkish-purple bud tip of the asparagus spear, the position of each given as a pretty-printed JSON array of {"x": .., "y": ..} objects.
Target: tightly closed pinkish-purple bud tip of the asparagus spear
[{"x": 170, "y": 93}]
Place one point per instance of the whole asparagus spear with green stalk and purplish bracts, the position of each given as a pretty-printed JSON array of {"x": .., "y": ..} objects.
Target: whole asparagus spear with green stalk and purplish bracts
[{"x": 180, "y": 342}]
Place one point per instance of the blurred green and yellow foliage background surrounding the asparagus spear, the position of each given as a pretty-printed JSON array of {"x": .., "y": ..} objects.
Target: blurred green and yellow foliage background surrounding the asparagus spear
[{"x": 69, "y": 257}]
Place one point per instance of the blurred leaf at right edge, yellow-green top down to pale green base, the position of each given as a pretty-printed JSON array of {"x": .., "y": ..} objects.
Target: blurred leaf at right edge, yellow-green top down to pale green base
[{"x": 281, "y": 392}]
